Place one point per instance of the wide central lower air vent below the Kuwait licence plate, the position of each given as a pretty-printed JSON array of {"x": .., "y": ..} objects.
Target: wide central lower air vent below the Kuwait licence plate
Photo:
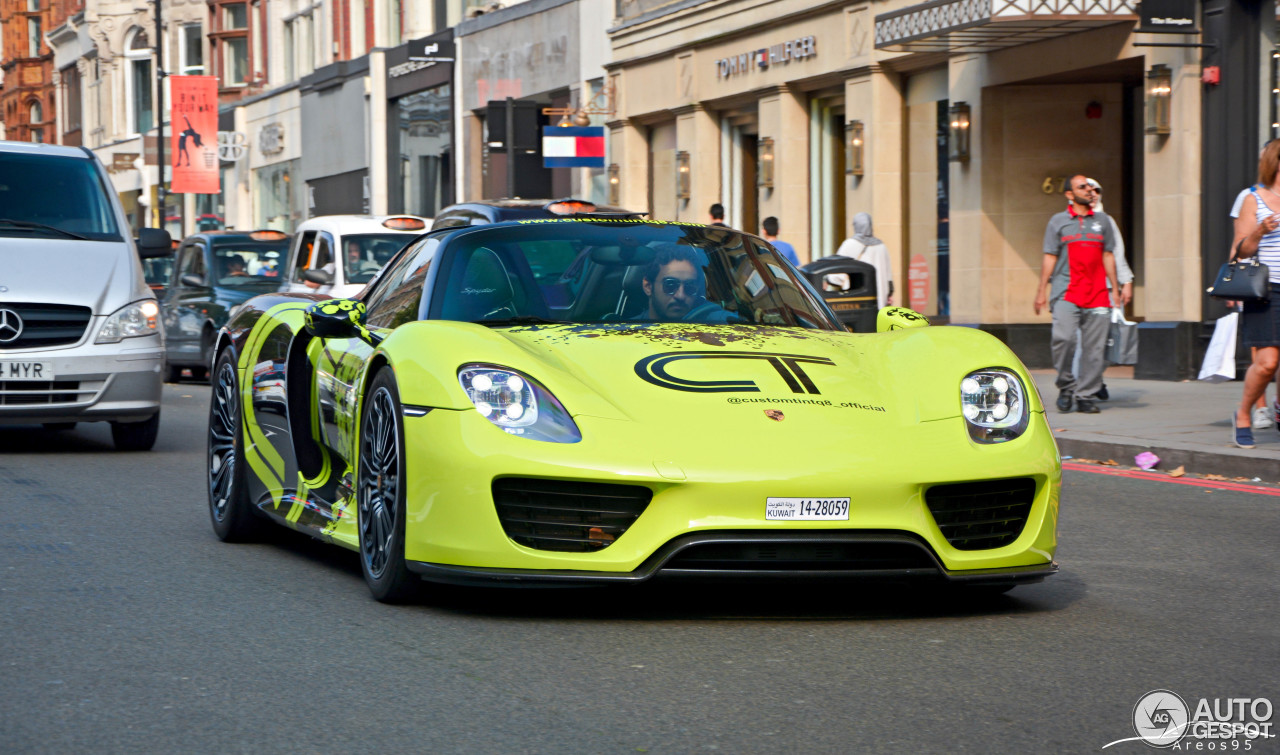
[{"x": 799, "y": 556}]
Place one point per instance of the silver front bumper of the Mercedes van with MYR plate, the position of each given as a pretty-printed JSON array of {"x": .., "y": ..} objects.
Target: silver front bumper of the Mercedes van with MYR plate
[{"x": 93, "y": 383}]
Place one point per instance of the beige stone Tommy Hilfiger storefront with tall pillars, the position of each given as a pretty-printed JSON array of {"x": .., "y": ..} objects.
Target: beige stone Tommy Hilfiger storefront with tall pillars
[{"x": 751, "y": 116}]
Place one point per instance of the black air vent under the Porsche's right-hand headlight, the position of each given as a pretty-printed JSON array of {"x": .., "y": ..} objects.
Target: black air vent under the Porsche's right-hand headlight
[{"x": 980, "y": 516}]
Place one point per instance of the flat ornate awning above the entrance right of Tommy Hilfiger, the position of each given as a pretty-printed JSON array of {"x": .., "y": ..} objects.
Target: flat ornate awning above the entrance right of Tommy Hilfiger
[{"x": 982, "y": 26}]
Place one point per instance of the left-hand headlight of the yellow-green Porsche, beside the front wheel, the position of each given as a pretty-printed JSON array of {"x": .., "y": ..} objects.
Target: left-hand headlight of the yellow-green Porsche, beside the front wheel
[{"x": 518, "y": 404}]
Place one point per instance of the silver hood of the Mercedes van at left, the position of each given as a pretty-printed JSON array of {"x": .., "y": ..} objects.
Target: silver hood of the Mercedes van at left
[{"x": 103, "y": 276}]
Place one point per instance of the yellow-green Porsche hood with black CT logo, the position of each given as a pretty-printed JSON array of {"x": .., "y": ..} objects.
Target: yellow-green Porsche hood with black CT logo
[{"x": 717, "y": 376}]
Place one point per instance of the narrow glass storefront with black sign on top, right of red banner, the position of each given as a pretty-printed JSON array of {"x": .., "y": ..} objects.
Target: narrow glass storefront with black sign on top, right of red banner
[{"x": 422, "y": 159}]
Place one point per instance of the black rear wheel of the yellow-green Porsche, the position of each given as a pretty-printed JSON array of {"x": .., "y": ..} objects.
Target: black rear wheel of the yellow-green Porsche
[{"x": 230, "y": 509}]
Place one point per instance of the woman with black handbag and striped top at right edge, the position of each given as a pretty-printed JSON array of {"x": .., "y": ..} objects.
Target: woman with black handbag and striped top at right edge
[{"x": 1258, "y": 236}]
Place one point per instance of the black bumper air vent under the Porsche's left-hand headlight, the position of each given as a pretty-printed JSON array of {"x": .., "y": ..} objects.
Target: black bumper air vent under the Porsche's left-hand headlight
[{"x": 564, "y": 515}]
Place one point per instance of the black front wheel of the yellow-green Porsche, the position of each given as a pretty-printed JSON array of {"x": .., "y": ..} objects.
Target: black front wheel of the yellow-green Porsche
[{"x": 381, "y": 495}]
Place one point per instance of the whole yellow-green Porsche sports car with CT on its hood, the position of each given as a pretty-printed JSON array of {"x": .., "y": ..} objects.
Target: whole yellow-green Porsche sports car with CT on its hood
[{"x": 614, "y": 400}]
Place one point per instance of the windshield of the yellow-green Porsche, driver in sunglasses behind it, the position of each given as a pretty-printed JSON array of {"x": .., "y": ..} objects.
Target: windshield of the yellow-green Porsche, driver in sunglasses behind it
[{"x": 625, "y": 272}]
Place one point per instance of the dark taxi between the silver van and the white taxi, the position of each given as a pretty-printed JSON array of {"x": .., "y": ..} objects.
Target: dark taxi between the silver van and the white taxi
[{"x": 214, "y": 272}]
